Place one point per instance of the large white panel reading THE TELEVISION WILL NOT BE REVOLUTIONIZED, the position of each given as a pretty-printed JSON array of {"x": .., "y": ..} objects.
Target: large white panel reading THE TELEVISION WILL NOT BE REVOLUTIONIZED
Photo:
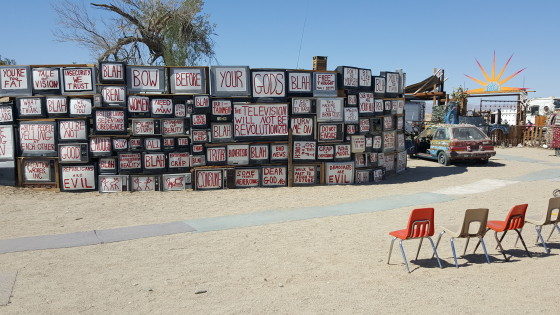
[{"x": 261, "y": 120}]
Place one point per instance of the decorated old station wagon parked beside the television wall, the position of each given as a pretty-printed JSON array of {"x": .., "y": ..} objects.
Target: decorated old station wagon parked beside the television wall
[{"x": 450, "y": 142}]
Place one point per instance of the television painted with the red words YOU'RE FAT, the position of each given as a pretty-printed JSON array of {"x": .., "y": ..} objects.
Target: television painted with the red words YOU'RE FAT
[{"x": 15, "y": 80}]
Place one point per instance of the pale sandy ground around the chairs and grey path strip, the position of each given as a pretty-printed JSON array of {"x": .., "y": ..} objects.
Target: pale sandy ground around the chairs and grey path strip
[{"x": 334, "y": 264}]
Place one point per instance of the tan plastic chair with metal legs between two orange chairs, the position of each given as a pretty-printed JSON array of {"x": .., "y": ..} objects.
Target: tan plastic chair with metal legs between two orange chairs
[{"x": 474, "y": 225}]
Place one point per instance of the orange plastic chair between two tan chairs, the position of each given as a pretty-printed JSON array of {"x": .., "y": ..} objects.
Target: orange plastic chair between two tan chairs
[{"x": 514, "y": 221}]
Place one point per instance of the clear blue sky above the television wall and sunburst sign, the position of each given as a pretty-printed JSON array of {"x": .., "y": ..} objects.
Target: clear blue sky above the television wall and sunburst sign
[{"x": 416, "y": 36}]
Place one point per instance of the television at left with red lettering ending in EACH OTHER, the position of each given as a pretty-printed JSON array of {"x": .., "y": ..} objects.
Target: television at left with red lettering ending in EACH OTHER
[{"x": 37, "y": 138}]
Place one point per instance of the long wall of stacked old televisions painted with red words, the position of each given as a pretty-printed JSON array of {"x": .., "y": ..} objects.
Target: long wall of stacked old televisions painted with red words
[{"x": 115, "y": 127}]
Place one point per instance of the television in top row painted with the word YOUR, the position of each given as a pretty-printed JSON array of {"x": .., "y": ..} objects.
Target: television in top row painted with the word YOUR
[{"x": 229, "y": 81}]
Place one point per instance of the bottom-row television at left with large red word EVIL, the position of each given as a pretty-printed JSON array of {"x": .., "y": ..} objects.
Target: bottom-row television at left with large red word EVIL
[{"x": 78, "y": 178}]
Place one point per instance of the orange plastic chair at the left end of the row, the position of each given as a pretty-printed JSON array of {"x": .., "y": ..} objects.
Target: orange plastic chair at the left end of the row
[{"x": 420, "y": 226}]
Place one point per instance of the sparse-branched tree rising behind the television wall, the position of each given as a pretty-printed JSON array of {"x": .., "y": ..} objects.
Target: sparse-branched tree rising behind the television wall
[{"x": 154, "y": 32}]
